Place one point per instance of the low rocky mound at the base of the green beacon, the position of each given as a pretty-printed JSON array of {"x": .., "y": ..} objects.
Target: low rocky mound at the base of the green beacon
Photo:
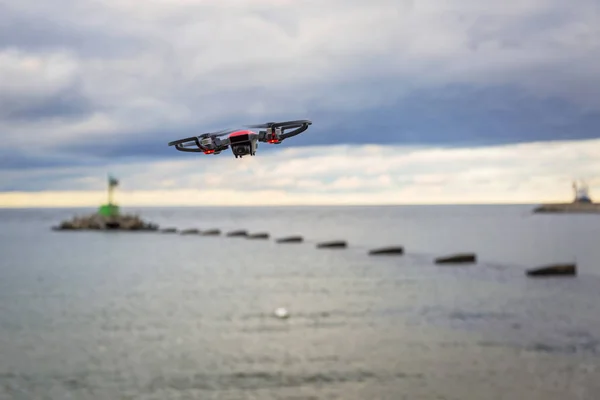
[{"x": 105, "y": 223}]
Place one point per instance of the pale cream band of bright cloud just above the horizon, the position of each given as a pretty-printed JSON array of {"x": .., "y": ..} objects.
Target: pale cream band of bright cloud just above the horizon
[{"x": 372, "y": 174}]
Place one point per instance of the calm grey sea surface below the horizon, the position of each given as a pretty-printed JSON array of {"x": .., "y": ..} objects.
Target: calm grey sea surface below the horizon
[{"x": 149, "y": 315}]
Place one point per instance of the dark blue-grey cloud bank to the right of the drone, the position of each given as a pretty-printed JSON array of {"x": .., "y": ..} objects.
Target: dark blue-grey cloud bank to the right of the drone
[{"x": 459, "y": 116}]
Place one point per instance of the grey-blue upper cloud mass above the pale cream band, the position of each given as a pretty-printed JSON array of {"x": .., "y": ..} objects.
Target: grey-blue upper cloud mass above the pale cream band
[{"x": 104, "y": 74}]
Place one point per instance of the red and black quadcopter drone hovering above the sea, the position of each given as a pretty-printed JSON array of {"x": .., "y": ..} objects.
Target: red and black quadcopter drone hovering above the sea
[{"x": 243, "y": 142}]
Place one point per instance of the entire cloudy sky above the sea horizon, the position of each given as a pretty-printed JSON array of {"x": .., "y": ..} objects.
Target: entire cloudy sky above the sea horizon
[{"x": 425, "y": 101}]
